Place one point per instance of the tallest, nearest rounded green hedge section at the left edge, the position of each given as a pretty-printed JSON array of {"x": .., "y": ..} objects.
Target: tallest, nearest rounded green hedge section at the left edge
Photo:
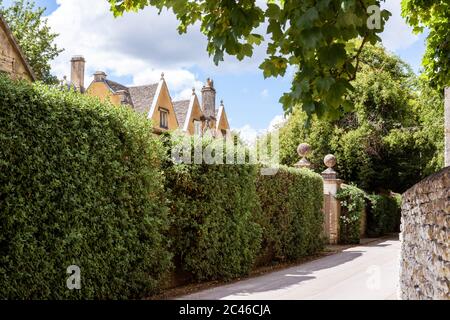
[{"x": 80, "y": 184}]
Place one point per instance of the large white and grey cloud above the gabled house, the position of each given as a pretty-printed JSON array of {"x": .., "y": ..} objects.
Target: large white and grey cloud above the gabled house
[{"x": 138, "y": 45}]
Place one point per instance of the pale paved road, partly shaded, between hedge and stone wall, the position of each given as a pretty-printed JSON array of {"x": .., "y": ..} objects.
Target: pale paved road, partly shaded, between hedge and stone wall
[{"x": 365, "y": 272}]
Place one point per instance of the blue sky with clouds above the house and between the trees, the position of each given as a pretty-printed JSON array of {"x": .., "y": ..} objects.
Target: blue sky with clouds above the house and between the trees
[{"x": 136, "y": 48}]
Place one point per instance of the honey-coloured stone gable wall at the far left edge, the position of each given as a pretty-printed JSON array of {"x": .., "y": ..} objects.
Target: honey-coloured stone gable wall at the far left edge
[{"x": 11, "y": 60}]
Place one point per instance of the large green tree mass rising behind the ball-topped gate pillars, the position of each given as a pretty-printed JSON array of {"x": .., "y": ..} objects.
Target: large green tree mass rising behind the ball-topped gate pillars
[{"x": 391, "y": 140}]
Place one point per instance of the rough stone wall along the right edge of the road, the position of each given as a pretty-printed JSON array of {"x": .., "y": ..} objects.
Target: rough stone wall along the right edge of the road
[{"x": 425, "y": 237}]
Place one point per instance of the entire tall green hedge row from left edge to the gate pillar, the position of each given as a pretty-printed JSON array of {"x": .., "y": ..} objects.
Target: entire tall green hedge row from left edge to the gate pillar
[{"x": 87, "y": 183}]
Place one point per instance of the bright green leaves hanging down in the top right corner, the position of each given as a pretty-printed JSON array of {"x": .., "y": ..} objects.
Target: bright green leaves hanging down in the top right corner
[{"x": 434, "y": 15}]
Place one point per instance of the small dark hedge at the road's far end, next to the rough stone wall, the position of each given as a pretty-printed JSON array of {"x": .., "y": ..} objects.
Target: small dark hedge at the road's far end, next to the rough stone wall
[{"x": 383, "y": 214}]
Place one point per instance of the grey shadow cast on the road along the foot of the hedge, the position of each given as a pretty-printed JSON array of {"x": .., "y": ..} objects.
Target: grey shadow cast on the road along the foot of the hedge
[{"x": 278, "y": 280}]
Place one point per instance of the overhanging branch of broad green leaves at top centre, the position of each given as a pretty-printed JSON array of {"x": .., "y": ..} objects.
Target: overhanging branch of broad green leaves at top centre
[{"x": 314, "y": 37}]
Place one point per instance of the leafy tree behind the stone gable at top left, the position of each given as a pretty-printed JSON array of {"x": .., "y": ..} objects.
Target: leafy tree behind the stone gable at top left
[{"x": 33, "y": 35}]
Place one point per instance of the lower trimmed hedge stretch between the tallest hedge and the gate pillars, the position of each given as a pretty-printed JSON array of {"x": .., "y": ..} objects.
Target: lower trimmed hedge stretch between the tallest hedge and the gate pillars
[{"x": 227, "y": 218}]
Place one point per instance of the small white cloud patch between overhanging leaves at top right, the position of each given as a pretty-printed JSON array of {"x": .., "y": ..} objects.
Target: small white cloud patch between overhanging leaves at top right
[{"x": 397, "y": 34}]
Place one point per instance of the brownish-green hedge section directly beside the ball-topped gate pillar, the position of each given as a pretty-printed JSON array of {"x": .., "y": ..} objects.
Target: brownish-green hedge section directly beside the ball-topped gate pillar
[{"x": 292, "y": 219}]
